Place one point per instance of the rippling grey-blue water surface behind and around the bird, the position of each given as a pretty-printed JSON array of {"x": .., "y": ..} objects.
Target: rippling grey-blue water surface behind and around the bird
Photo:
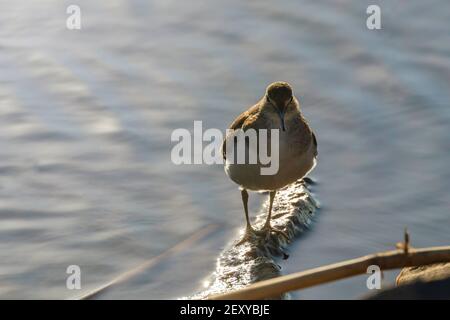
[{"x": 86, "y": 117}]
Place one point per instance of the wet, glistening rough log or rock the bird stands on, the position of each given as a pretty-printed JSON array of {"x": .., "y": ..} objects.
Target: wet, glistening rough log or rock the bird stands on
[{"x": 241, "y": 265}]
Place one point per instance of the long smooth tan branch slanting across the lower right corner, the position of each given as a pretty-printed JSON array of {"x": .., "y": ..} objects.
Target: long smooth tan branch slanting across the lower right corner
[{"x": 406, "y": 257}]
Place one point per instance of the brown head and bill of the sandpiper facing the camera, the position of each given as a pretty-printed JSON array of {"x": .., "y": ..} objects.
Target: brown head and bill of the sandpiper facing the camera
[{"x": 280, "y": 95}]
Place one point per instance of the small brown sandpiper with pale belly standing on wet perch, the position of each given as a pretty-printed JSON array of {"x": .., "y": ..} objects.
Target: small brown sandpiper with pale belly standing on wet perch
[{"x": 297, "y": 144}]
